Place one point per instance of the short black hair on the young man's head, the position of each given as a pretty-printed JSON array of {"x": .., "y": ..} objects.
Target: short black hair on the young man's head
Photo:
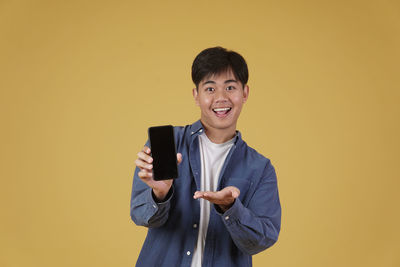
[{"x": 216, "y": 60}]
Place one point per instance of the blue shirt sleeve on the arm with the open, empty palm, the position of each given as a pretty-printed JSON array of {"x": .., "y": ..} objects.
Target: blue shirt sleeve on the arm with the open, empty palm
[{"x": 256, "y": 227}]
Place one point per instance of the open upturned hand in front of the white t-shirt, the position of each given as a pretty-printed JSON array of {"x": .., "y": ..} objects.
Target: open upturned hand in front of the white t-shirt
[{"x": 224, "y": 198}]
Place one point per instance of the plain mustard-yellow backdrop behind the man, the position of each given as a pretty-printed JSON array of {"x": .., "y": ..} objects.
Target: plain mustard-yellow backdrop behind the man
[{"x": 82, "y": 80}]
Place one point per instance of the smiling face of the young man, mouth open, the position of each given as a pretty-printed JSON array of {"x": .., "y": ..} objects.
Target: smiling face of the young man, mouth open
[{"x": 220, "y": 98}]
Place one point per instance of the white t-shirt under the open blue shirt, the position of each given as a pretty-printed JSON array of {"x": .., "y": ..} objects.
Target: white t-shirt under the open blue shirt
[{"x": 212, "y": 159}]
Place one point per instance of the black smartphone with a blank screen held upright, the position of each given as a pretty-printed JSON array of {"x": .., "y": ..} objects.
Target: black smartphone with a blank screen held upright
[{"x": 163, "y": 151}]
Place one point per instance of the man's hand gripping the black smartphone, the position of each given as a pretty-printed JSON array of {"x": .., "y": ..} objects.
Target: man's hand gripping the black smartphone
[{"x": 144, "y": 163}]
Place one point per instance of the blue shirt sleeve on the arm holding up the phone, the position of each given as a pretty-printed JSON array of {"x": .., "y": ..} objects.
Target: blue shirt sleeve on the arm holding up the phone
[{"x": 145, "y": 211}]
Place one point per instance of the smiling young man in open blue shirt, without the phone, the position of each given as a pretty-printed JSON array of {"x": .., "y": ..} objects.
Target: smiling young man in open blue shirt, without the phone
[{"x": 224, "y": 207}]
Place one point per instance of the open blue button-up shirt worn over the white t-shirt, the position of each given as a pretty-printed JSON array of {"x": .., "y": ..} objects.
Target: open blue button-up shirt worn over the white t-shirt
[{"x": 251, "y": 225}]
